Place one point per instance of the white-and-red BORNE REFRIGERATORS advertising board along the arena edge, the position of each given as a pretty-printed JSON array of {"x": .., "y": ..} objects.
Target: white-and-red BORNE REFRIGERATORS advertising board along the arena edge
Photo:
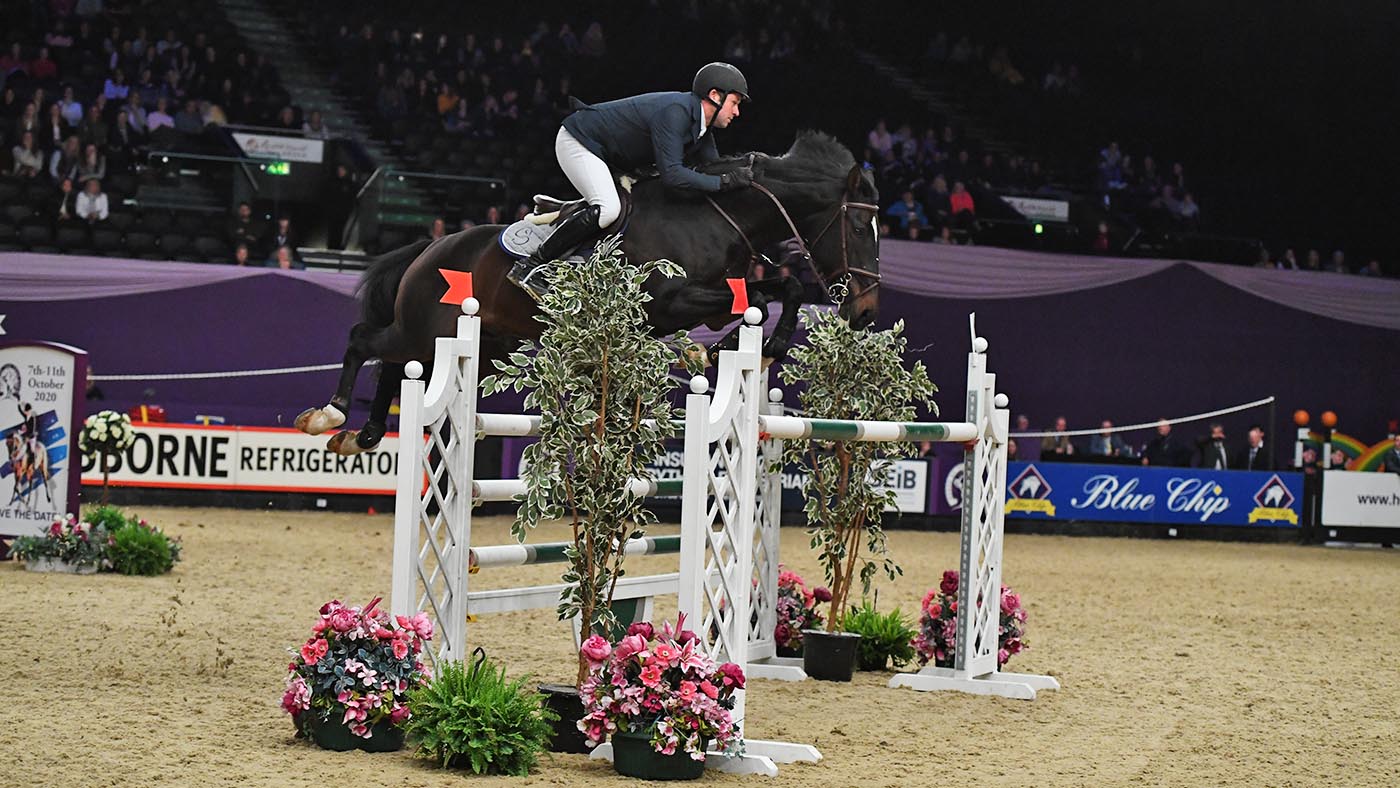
[{"x": 247, "y": 458}]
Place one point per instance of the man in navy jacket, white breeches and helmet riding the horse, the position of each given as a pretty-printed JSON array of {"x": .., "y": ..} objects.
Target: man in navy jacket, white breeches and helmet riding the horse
[{"x": 663, "y": 129}]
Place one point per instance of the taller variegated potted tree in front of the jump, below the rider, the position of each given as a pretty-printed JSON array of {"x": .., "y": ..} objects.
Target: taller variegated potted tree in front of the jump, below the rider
[{"x": 603, "y": 386}]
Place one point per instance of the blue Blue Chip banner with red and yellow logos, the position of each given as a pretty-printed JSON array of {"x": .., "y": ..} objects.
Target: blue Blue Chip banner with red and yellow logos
[{"x": 1185, "y": 496}]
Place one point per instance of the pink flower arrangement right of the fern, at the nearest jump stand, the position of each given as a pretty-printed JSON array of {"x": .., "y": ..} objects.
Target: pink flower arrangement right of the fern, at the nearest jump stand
[{"x": 660, "y": 684}]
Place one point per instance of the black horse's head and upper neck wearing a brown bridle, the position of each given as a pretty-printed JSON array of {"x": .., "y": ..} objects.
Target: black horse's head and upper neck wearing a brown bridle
[{"x": 839, "y": 209}]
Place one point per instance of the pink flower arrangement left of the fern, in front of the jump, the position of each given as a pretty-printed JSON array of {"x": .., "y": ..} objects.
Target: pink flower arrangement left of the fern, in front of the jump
[{"x": 356, "y": 668}]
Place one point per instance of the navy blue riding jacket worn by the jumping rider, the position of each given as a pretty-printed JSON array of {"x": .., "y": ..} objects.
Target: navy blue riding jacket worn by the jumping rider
[{"x": 660, "y": 129}]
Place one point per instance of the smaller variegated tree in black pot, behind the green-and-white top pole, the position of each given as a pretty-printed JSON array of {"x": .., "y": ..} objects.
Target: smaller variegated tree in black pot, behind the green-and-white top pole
[{"x": 850, "y": 374}]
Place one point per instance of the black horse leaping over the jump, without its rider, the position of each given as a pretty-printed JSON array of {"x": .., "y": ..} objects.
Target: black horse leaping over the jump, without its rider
[{"x": 815, "y": 195}]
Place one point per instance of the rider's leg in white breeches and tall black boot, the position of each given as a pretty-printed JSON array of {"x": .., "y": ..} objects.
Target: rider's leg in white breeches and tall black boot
[{"x": 594, "y": 181}]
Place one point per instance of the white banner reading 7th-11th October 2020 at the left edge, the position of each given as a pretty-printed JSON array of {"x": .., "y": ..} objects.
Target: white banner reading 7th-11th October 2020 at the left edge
[{"x": 41, "y": 394}]
